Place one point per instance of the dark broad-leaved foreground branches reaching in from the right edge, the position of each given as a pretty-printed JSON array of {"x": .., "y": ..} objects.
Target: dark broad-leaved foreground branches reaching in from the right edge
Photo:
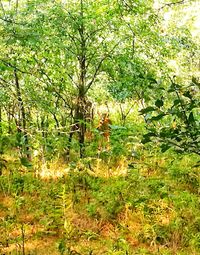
[{"x": 180, "y": 106}]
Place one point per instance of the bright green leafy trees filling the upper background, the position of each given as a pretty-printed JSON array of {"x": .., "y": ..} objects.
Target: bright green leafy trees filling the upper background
[{"x": 56, "y": 56}]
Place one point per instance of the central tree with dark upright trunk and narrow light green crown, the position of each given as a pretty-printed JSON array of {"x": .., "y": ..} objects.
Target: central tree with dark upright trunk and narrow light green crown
[{"x": 84, "y": 45}]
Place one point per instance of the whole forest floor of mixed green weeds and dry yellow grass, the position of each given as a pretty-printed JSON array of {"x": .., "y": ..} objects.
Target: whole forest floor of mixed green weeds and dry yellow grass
[{"x": 146, "y": 205}]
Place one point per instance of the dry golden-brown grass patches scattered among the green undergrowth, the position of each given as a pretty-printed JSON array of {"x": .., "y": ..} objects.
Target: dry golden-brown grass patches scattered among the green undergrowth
[{"x": 82, "y": 232}]
